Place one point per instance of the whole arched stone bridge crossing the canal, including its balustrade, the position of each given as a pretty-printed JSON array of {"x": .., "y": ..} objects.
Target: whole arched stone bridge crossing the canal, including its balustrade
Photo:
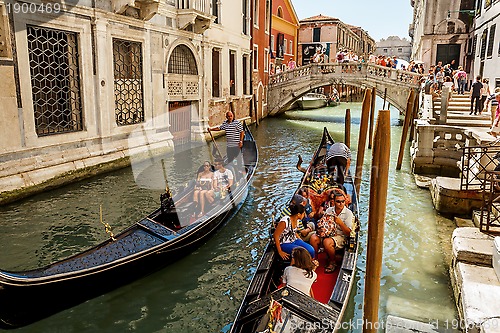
[{"x": 286, "y": 87}]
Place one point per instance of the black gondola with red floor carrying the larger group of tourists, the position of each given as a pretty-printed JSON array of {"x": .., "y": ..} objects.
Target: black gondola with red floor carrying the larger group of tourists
[{"x": 270, "y": 307}]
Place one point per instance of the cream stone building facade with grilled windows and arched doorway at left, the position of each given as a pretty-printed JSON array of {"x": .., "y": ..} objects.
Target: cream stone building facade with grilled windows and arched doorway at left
[{"x": 84, "y": 87}]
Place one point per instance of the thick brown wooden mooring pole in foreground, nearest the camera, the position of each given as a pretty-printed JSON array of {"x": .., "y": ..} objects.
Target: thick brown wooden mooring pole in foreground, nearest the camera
[{"x": 376, "y": 215}]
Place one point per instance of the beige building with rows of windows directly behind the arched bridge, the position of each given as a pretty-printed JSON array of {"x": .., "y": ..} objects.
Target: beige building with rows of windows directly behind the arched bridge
[{"x": 330, "y": 35}]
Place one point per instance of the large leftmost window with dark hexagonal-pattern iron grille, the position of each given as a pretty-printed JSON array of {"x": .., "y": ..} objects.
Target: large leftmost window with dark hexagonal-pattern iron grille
[{"x": 55, "y": 80}]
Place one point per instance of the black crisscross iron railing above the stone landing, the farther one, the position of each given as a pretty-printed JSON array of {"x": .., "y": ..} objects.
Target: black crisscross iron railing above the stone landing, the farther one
[{"x": 475, "y": 162}]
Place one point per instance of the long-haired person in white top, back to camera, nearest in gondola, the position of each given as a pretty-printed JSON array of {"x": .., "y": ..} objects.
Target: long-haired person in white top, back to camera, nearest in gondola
[{"x": 300, "y": 274}]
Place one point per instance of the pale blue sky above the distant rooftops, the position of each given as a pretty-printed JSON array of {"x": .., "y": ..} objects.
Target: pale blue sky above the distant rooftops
[{"x": 379, "y": 19}]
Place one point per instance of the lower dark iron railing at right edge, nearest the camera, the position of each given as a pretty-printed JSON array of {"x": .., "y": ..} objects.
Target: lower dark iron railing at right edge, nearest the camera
[{"x": 490, "y": 211}]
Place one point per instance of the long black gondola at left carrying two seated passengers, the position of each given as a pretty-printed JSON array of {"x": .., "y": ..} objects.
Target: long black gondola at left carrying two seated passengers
[{"x": 167, "y": 234}]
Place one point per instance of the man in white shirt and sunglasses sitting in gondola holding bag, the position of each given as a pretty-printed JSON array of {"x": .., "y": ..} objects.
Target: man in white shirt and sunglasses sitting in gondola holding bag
[{"x": 333, "y": 229}]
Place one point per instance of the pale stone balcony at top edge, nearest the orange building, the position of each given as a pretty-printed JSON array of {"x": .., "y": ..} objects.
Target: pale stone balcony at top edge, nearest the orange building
[{"x": 194, "y": 15}]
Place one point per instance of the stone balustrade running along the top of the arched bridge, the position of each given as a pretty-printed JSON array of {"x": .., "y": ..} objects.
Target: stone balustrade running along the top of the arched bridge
[{"x": 358, "y": 69}]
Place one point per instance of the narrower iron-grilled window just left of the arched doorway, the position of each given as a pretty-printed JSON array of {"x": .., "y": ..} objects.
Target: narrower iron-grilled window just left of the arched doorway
[{"x": 129, "y": 100}]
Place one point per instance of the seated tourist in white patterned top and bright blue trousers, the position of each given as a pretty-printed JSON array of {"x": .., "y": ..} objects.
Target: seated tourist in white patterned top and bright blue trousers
[{"x": 285, "y": 235}]
